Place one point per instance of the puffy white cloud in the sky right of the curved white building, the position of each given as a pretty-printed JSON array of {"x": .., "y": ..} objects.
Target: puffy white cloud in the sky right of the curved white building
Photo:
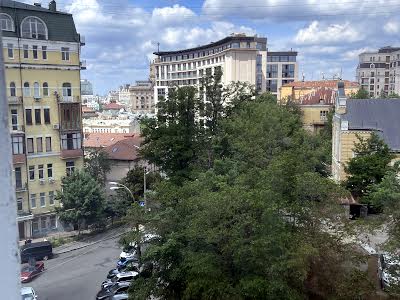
[{"x": 318, "y": 34}]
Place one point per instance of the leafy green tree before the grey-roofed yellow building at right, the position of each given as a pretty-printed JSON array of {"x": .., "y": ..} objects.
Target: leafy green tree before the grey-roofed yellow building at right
[{"x": 368, "y": 166}]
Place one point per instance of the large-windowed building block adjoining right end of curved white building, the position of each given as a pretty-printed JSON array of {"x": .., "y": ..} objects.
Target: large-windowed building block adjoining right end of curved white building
[{"x": 282, "y": 68}]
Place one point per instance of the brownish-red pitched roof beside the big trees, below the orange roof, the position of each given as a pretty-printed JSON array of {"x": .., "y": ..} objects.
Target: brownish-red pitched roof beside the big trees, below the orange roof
[{"x": 124, "y": 150}]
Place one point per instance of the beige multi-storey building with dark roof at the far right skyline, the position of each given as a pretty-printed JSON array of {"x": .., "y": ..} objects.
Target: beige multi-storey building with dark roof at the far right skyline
[{"x": 378, "y": 72}]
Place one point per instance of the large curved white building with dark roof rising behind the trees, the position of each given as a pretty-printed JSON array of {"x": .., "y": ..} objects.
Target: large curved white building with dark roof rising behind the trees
[{"x": 239, "y": 57}]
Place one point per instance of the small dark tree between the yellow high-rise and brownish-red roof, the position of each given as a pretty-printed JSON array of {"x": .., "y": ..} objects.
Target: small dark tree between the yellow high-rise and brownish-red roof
[{"x": 97, "y": 164}]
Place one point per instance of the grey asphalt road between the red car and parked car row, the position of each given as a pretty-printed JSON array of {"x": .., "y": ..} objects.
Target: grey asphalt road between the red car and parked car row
[{"x": 77, "y": 275}]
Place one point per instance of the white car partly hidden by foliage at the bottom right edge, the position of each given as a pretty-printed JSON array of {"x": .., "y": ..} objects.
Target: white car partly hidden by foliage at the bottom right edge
[{"x": 388, "y": 270}]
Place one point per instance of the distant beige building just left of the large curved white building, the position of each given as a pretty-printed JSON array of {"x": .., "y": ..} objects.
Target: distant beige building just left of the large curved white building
[{"x": 142, "y": 97}]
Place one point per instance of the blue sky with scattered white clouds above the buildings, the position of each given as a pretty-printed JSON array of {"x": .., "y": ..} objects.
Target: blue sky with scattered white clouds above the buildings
[{"x": 121, "y": 35}]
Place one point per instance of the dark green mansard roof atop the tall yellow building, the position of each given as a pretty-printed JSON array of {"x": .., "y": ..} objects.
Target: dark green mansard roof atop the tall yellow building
[{"x": 60, "y": 25}]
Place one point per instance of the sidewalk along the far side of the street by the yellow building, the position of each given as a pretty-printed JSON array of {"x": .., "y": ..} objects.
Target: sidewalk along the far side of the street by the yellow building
[{"x": 82, "y": 243}]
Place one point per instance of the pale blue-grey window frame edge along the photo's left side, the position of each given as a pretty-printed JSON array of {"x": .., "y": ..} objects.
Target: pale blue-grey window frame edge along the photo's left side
[{"x": 9, "y": 251}]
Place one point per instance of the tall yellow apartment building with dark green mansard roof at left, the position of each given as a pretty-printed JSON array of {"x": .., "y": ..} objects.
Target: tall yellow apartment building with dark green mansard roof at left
[{"x": 42, "y": 60}]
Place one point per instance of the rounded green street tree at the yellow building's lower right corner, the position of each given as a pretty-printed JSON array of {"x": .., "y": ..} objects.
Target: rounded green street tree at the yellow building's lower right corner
[{"x": 82, "y": 201}]
